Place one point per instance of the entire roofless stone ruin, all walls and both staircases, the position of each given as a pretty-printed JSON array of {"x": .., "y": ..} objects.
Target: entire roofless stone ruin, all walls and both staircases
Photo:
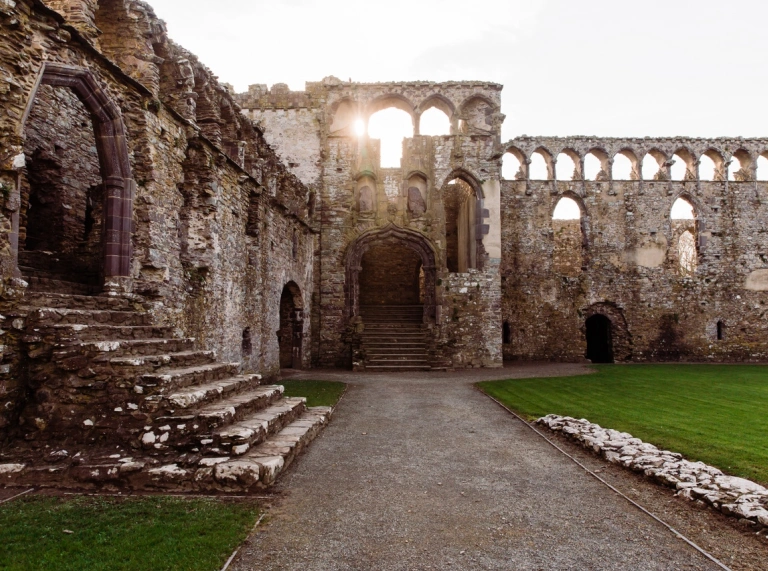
[{"x": 167, "y": 246}]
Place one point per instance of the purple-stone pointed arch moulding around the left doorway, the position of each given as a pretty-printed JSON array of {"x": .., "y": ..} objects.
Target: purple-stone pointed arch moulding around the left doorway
[{"x": 114, "y": 163}]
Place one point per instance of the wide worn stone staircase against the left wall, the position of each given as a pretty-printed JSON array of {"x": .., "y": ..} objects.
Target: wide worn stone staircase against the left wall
[{"x": 122, "y": 403}]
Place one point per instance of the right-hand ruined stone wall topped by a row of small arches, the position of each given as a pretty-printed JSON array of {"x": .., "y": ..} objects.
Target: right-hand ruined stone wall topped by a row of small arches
[{"x": 630, "y": 258}]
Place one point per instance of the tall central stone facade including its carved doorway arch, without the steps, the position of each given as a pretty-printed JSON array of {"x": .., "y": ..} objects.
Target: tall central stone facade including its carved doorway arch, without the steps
[{"x": 438, "y": 213}]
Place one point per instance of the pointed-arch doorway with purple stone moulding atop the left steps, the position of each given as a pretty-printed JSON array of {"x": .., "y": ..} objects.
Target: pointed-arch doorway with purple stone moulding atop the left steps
[{"x": 75, "y": 220}]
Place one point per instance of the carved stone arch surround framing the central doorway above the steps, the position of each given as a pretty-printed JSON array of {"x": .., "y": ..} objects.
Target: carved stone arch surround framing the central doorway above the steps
[{"x": 410, "y": 238}]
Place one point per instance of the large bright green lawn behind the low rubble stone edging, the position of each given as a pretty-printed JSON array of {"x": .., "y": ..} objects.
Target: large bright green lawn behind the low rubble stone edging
[{"x": 714, "y": 413}]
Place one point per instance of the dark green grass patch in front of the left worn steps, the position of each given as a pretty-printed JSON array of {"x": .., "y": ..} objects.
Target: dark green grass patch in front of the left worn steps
[{"x": 141, "y": 533}]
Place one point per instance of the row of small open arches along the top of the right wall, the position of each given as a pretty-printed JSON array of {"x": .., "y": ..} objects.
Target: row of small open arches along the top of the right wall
[{"x": 597, "y": 165}]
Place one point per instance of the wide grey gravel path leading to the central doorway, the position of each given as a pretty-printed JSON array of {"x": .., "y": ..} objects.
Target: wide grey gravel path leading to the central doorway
[{"x": 421, "y": 471}]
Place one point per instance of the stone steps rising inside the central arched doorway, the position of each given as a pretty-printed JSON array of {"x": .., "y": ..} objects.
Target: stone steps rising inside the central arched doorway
[{"x": 394, "y": 338}]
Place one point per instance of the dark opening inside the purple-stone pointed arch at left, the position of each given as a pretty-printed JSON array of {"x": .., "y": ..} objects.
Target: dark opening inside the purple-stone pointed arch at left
[{"x": 62, "y": 194}]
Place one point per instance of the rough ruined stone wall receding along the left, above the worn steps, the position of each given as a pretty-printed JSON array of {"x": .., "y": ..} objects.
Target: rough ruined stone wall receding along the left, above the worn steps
[{"x": 218, "y": 223}]
